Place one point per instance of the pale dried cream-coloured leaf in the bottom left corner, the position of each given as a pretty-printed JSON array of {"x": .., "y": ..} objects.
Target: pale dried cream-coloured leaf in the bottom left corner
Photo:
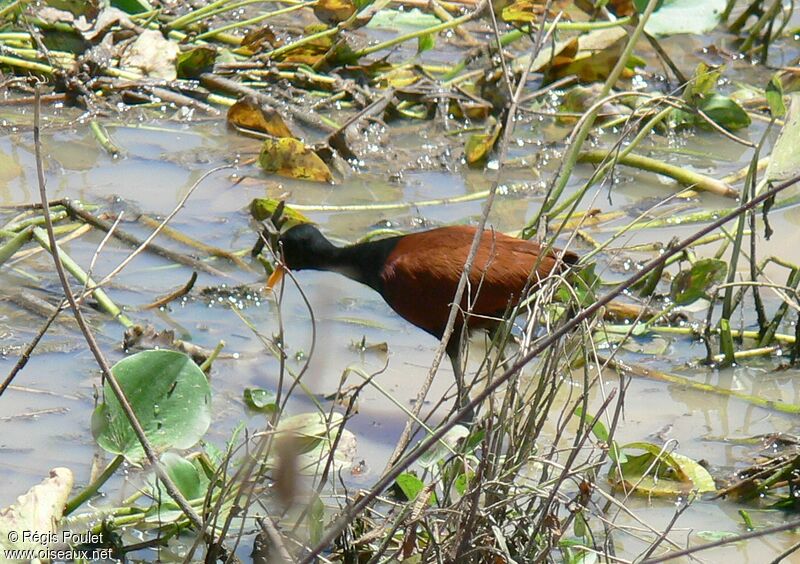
[{"x": 39, "y": 511}]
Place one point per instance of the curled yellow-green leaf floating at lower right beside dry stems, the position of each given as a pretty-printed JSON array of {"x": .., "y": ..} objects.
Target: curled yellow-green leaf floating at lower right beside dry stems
[{"x": 657, "y": 473}]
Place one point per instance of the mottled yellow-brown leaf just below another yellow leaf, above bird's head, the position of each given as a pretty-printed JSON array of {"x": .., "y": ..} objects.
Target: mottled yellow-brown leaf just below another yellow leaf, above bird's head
[{"x": 291, "y": 158}]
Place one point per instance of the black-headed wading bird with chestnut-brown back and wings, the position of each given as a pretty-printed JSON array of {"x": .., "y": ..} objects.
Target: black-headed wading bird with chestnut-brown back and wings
[{"x": 417, "y": 274}]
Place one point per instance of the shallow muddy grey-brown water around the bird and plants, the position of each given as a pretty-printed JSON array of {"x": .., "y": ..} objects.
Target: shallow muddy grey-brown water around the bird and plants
[{"x": 46, "y": 415}]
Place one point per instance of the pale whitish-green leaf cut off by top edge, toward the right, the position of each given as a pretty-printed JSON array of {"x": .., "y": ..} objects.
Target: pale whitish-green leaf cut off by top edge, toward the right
[{"x": 684, "y": 16}]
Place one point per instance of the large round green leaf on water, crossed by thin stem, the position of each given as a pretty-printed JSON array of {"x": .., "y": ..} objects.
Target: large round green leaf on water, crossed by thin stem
[{"x": 170, "y": 396}]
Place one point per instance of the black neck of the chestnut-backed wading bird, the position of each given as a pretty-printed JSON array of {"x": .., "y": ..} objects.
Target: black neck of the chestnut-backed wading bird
[{"x": 362, "y": 262}]
